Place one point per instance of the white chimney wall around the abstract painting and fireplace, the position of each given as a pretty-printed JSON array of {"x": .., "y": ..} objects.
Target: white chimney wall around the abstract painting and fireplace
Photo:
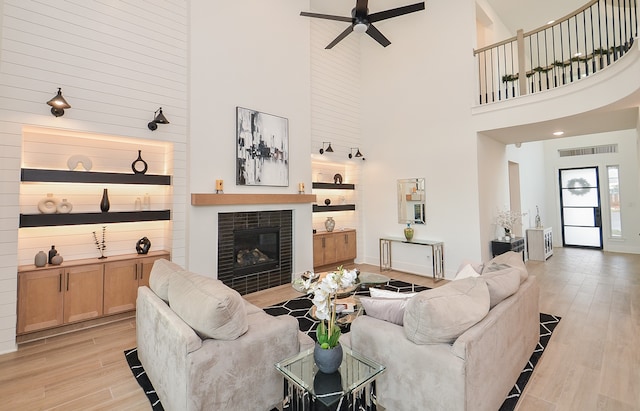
[{"x": 254, "y": 55}]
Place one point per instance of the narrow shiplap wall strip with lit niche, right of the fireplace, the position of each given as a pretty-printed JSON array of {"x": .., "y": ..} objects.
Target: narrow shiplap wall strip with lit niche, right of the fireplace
[{"x": 335, "y": 118}]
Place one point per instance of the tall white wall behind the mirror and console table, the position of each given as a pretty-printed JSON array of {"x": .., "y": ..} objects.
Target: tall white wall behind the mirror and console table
[{"x": 416, "y": 99}]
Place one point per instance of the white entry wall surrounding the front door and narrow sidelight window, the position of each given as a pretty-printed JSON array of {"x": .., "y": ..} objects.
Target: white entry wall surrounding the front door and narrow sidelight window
[{"x": 626, "y": 158}]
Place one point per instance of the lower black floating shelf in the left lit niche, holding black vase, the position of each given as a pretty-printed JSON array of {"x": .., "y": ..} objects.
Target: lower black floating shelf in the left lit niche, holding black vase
[{"x": 49, "y": 220}]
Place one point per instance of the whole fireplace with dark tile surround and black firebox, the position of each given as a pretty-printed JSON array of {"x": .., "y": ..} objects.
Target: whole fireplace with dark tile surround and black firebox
[{"x": 255, "y": 249}]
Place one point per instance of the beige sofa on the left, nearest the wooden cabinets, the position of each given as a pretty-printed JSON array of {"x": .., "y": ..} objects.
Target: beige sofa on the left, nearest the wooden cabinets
[{"x": 206, "y": 348}]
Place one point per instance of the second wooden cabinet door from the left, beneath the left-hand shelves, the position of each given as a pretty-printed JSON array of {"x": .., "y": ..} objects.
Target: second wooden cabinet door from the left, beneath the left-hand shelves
[{"x": 83, "y": 292}]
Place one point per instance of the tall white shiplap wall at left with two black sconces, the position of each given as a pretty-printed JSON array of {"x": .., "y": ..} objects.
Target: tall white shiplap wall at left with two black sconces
[{"x": 116, "y": 62}]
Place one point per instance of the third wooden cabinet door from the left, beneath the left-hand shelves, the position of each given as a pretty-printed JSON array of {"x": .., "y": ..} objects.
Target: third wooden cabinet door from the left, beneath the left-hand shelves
[{"x": 120, "y": 286}]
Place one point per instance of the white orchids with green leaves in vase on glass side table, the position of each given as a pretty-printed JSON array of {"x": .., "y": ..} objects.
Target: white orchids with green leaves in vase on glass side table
[{"x": 325, "y": 295}]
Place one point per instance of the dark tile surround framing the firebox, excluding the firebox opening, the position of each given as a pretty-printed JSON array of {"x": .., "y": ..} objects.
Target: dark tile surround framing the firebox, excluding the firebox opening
[{"x": 245, "y": 284}]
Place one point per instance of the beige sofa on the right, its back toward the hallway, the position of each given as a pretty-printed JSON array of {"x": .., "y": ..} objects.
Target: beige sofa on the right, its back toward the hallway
[{"x": 461, "y": 346}]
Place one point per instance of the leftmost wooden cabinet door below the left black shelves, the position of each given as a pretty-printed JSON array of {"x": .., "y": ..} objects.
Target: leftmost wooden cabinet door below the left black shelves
[{"x": 40, "y": 296}]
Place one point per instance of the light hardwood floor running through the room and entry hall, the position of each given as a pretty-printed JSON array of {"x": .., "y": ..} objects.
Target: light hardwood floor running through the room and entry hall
[{"x": 591, "y": 363}]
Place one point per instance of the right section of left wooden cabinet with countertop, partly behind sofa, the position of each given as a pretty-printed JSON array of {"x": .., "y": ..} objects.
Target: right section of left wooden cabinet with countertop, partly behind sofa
[{"x": 121, "y": 282}]
